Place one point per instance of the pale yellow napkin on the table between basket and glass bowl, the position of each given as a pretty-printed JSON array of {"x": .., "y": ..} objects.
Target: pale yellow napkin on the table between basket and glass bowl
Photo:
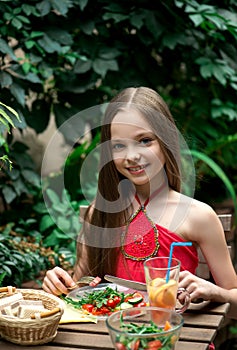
[{"x": 72, "y": 315}]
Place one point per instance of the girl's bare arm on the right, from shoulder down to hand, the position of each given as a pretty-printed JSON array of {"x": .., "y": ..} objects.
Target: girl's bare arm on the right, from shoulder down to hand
[{"x": 207, "y": 231}]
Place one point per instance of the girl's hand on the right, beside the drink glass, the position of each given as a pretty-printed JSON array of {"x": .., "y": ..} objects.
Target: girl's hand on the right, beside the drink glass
[{"x": 197, "y": 287}]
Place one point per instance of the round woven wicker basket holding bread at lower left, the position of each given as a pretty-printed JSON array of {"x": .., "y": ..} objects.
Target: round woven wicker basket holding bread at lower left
[{"x": 33, "y": 331}]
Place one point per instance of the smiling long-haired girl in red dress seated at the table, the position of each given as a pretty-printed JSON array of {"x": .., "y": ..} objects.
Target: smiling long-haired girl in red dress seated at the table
[{"x": 139, "y": 209}]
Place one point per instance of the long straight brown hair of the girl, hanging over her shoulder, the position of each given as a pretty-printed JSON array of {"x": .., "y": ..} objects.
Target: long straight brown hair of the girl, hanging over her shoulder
[{"x": 102, "y": 227}]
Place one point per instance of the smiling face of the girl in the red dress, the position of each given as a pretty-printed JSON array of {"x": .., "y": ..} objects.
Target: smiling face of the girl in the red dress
[{"x": 135, "y": 148}]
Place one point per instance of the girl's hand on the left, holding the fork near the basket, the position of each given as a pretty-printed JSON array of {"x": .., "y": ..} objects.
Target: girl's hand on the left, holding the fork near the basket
[{"x": 56, "y": 281}]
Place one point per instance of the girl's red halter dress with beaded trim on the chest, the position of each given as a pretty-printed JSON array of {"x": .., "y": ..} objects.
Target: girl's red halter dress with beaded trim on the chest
[{"x": 142, "y": 239}]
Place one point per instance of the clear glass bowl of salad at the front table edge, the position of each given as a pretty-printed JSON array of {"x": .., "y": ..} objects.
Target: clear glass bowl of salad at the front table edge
[{"x": 146, "y": 327}]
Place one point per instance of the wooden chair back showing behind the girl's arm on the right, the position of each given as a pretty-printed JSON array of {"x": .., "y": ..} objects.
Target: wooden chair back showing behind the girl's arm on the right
[{"x": 226, "y": 221}]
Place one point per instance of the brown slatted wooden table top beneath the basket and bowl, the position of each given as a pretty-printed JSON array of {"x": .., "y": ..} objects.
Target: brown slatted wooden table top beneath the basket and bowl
[{"x": 201, "y": 323}]
